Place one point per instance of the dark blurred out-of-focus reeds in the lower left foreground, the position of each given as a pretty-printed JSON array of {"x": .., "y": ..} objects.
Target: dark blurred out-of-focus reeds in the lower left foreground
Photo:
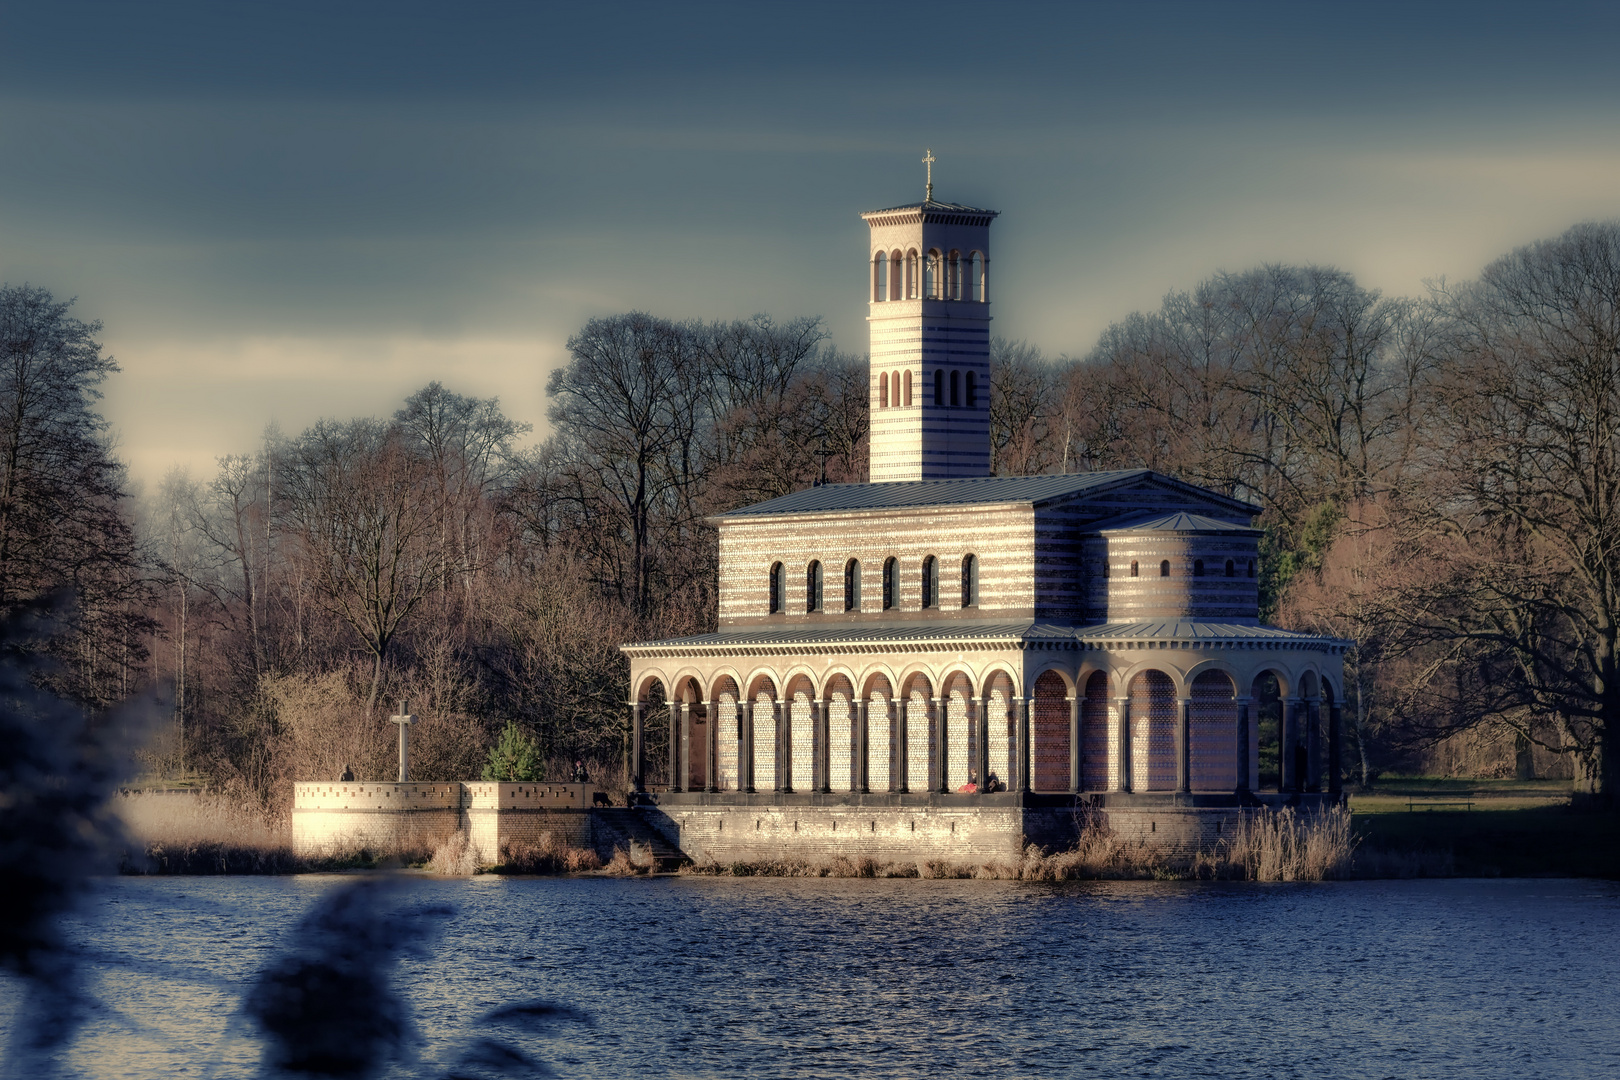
[{"x": 325, "y": 1005}]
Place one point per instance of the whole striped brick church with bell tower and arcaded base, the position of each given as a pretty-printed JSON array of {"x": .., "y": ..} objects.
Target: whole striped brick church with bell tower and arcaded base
[{"x": 952, "y": 663}]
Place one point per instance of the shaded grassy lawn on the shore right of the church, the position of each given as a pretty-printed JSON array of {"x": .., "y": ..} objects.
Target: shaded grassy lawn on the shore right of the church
[{"x": 1517, "y": 828}]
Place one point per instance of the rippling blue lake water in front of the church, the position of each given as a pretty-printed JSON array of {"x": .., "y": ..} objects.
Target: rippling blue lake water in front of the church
[{"x": 905, "y": 979}]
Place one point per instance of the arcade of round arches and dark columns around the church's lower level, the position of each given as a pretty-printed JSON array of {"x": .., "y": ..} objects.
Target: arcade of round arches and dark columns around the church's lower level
[{"x": 1109, "y": 725}]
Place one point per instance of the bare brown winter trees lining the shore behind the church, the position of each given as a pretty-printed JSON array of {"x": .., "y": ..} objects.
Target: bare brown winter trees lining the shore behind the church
[{"x": 1439, "y": 478}]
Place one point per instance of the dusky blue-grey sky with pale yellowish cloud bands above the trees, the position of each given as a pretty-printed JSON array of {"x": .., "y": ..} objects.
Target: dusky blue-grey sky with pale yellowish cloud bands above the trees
[{"x": 289, "y": 211}]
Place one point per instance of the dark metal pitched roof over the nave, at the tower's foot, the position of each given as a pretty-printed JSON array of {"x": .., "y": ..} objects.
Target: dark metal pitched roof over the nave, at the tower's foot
[{"x": 936, "y": 493}]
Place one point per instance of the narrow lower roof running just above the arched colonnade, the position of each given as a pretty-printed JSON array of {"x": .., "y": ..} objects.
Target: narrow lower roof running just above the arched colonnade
[{"x": 934, "y": 636}]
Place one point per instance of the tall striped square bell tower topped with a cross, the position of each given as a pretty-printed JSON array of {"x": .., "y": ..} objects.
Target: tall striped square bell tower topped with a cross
[{"x": 929, "y": 310}]
